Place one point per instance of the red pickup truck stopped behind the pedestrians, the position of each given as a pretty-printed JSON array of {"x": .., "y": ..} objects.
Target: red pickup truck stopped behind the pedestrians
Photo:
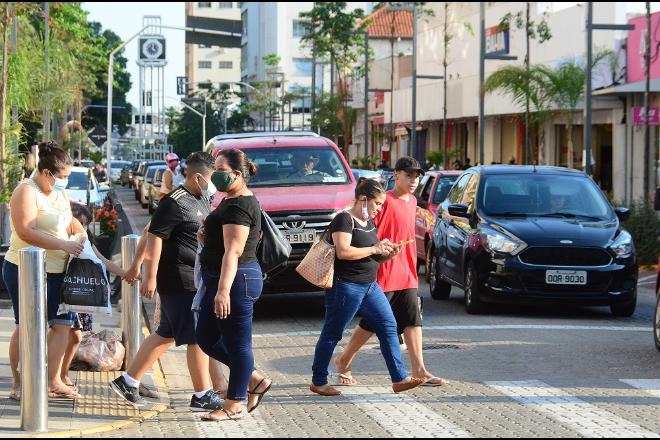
[{"x": 302, "y": 182}]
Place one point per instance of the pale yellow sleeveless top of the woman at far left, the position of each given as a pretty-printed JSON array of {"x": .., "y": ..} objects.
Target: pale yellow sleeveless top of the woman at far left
[{"x": 53, "y": 218}]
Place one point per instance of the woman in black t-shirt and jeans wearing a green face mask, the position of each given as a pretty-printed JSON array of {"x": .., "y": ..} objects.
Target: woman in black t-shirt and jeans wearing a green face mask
[{"x": 233, "y": 281}]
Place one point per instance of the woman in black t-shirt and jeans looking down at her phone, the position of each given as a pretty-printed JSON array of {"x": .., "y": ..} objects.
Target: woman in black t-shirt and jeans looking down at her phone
[{"x": 358, "y": 254}]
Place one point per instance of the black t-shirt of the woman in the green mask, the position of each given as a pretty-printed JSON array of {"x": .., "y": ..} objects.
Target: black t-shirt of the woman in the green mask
[{"x": 242, "y": 210}]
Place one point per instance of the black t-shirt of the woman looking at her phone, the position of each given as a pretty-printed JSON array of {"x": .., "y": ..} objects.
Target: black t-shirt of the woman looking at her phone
[{"x": 362, "y": 271}]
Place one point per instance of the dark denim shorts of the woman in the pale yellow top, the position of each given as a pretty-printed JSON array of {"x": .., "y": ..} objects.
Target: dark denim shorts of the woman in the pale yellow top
[{"x": 53, "y": 287}]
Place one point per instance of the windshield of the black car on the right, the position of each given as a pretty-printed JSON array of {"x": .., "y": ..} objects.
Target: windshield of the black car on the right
[{"x": 543, "y": 195}]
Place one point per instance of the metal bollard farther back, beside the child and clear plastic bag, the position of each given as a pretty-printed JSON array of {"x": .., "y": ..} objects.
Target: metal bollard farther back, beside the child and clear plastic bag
[{"x": 130, "y": 301}]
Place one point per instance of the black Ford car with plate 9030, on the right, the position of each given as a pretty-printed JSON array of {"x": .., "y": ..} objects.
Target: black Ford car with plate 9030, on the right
[{"x": 533, "y": 234}]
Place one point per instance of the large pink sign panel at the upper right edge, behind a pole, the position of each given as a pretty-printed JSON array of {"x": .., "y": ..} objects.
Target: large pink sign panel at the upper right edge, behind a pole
[{"x": 636, "y": 48}]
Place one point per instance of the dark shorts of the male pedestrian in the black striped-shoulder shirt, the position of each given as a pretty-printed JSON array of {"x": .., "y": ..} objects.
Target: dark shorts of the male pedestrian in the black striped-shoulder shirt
[{"x": 176, "y": 319}]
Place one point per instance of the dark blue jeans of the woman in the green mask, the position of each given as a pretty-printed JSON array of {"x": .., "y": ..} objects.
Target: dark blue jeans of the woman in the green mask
[{"x": 230, "y": 340}]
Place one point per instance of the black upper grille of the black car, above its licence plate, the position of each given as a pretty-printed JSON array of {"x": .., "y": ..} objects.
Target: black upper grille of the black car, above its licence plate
[{"x": 566, "y": 256}]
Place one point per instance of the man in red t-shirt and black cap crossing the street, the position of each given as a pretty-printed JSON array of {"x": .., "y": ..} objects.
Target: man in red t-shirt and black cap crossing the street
[{"x": 397, "y": 277}]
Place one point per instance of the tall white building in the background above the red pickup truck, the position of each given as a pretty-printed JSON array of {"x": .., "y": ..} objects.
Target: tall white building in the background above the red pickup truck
[{"x": 275, "y": 28}]
